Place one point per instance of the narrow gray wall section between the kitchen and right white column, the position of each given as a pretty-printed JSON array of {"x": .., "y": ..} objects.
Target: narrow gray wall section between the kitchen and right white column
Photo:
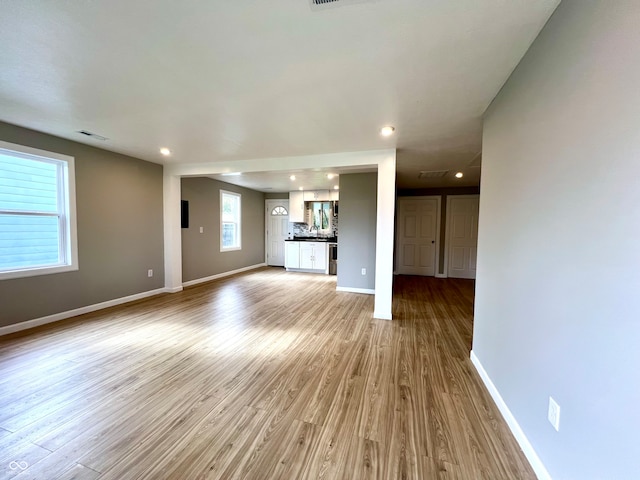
[{"x": 357, "y": 236}]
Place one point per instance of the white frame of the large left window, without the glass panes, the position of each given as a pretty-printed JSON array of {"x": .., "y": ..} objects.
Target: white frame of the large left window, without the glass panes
[{"x": 68, "y": 240}]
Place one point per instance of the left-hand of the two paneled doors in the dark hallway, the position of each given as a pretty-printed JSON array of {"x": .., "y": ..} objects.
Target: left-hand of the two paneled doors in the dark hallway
[{"x": 417, "y": 235}]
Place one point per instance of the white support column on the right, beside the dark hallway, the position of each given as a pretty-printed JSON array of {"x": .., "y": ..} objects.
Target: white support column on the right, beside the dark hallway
[{"x": 384, "y": 237}]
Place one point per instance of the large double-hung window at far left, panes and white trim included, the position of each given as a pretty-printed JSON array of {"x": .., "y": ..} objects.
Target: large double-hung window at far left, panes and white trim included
[{"x": 37, "y": 212}]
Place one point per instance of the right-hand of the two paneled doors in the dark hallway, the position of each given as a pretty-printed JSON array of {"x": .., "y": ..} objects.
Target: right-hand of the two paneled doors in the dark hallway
[{"x": 462, "y": 229}]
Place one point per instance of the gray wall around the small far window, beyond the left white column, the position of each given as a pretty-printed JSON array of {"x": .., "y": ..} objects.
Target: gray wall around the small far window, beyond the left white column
[{"x": 201, "y": 256}]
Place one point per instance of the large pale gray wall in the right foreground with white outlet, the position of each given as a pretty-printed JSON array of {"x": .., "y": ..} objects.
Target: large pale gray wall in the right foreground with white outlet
[{"x": 557, "y": 309}]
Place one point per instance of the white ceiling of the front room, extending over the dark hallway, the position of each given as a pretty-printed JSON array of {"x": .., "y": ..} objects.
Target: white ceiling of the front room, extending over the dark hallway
[{"x": 235, "y": 80}]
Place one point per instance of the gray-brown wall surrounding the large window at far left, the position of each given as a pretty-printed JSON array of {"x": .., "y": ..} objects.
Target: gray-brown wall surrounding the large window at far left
[{"x": 119, "y": 219}]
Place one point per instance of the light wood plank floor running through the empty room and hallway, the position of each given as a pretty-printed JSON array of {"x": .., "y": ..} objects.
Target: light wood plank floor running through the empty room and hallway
[{"x": 264, "y": 375}]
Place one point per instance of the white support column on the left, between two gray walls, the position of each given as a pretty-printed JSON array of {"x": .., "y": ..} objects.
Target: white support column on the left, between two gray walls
[{"x": 172, "y": 233}]
